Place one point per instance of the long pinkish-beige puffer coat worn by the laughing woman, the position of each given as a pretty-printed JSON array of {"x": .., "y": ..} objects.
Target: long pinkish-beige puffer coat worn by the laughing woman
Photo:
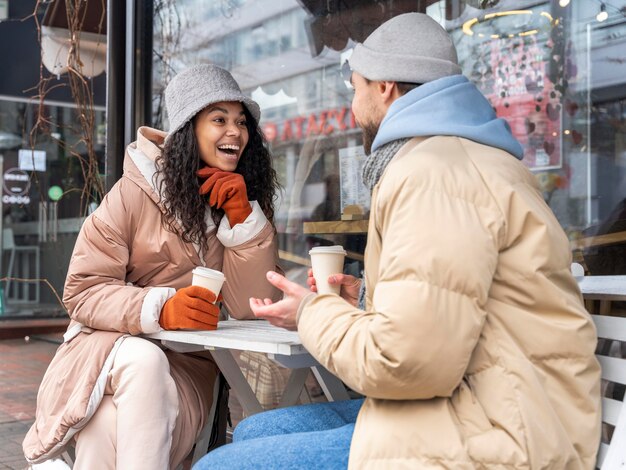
[{"x": 124, "y": 267}]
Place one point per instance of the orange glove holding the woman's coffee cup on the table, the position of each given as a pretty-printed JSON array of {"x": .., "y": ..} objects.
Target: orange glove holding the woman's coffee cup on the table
[{"x": 191, "y": 307}]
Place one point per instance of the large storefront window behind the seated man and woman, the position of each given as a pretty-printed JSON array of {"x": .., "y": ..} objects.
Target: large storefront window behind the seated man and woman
[{"x": 553, "y": 69}]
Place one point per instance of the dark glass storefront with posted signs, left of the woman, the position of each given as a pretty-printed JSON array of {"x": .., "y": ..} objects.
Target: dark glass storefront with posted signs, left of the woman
[{"x": 42, "y": 202}]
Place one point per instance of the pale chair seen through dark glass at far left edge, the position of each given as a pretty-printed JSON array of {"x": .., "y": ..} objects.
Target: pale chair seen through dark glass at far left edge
[{"x": 23, "y": 254}]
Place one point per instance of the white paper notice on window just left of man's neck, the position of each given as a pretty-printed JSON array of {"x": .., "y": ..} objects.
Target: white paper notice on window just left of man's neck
[{"x": 353, "y": 191}]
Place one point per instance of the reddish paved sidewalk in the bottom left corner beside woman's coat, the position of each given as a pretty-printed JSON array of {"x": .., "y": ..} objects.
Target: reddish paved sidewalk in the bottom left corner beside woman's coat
[{"x": 22, "y": 365}]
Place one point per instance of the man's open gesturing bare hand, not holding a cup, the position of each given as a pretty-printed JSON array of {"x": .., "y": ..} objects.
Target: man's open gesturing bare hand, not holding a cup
[{"x": 282, "y": 313}]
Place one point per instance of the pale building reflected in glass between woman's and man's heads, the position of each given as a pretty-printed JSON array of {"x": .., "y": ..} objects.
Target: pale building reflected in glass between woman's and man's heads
[{"x": 304, "y": 98}]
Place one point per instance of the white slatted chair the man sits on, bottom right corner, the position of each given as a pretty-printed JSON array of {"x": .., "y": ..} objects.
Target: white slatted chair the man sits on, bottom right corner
[{"x": 612, "y": 451}]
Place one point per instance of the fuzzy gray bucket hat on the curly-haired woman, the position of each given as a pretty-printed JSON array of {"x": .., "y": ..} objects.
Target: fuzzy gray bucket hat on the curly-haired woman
[{"x": 195, "y": 88}]
